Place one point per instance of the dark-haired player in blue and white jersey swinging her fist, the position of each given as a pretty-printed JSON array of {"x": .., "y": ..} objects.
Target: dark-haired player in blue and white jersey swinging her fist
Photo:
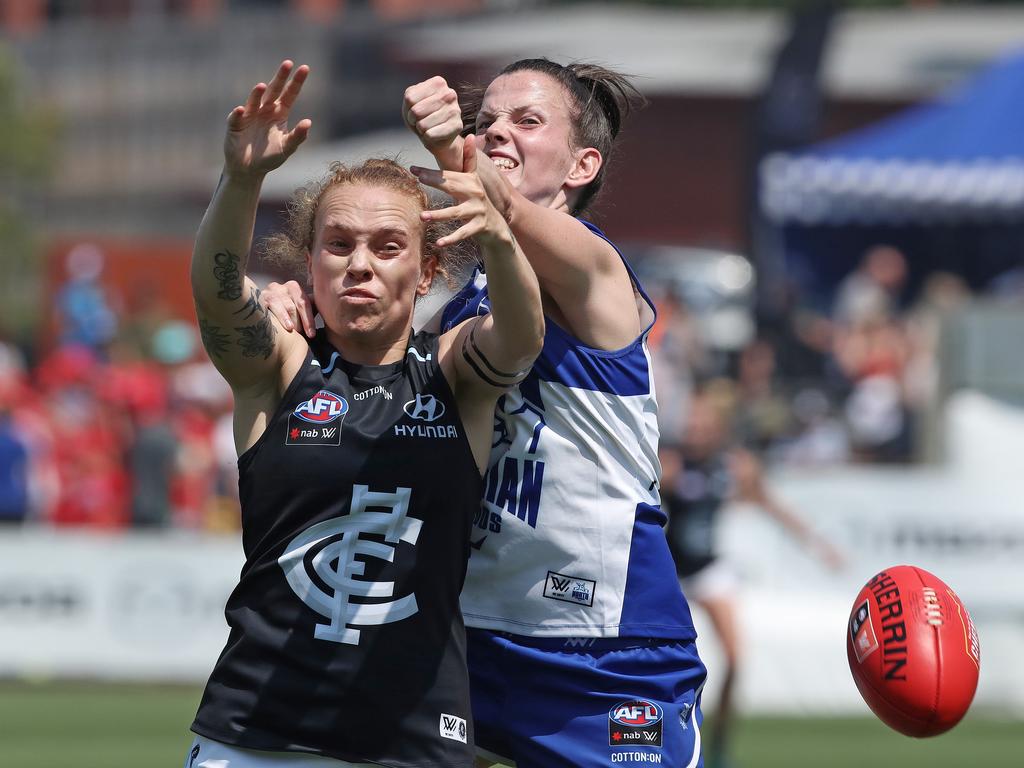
[{"x": 580, "y": 635}]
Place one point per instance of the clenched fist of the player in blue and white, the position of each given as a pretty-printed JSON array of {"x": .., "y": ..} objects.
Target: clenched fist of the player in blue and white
[{"x": 432, "y": 110}]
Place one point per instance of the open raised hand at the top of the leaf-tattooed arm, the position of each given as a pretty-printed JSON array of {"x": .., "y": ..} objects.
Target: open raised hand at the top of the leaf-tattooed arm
[{"x": 259, "y": 139}]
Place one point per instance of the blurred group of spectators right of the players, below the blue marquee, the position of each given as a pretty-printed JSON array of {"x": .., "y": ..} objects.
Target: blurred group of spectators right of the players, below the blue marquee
[{"x": 852, "y": 383}]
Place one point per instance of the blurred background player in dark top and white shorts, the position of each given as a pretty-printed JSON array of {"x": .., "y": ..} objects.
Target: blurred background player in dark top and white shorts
[{"x": 704, "y": 473}]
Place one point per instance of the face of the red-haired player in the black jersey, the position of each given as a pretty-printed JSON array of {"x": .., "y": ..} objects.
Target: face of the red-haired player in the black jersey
[{"x": 367, "y": 263}]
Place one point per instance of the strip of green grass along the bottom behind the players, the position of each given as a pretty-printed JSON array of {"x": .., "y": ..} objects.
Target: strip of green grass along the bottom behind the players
[{"x": 125, "y": 727}]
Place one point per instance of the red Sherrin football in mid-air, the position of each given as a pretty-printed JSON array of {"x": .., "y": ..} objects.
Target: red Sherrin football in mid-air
[{"x": 914, "y": 652}]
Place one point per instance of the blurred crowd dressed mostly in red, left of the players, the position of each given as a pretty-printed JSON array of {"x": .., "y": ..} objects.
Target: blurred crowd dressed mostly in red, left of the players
[{"x": 123, "y": 423}]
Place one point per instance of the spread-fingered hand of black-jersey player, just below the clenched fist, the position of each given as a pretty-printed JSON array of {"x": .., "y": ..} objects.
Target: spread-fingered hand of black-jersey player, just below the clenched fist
[{"x": 475, "y": 208}]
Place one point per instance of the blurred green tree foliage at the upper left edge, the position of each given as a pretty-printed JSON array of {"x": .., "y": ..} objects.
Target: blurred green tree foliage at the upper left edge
[{"x": 28, "y": 140}]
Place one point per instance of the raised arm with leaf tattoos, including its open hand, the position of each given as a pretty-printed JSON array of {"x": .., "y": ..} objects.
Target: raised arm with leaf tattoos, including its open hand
[{"x": 238, "y": 333}]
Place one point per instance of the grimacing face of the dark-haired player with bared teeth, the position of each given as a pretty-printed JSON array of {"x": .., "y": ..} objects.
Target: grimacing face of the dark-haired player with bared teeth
[{"x": 526, "y": 124}]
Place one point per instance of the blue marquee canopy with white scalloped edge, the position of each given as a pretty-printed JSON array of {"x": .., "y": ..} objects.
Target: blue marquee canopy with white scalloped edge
[{"x": 958, "y": 159}]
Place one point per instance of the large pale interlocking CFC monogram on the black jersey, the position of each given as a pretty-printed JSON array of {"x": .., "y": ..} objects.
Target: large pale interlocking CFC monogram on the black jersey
[{"x": 337, "y": 543}]
